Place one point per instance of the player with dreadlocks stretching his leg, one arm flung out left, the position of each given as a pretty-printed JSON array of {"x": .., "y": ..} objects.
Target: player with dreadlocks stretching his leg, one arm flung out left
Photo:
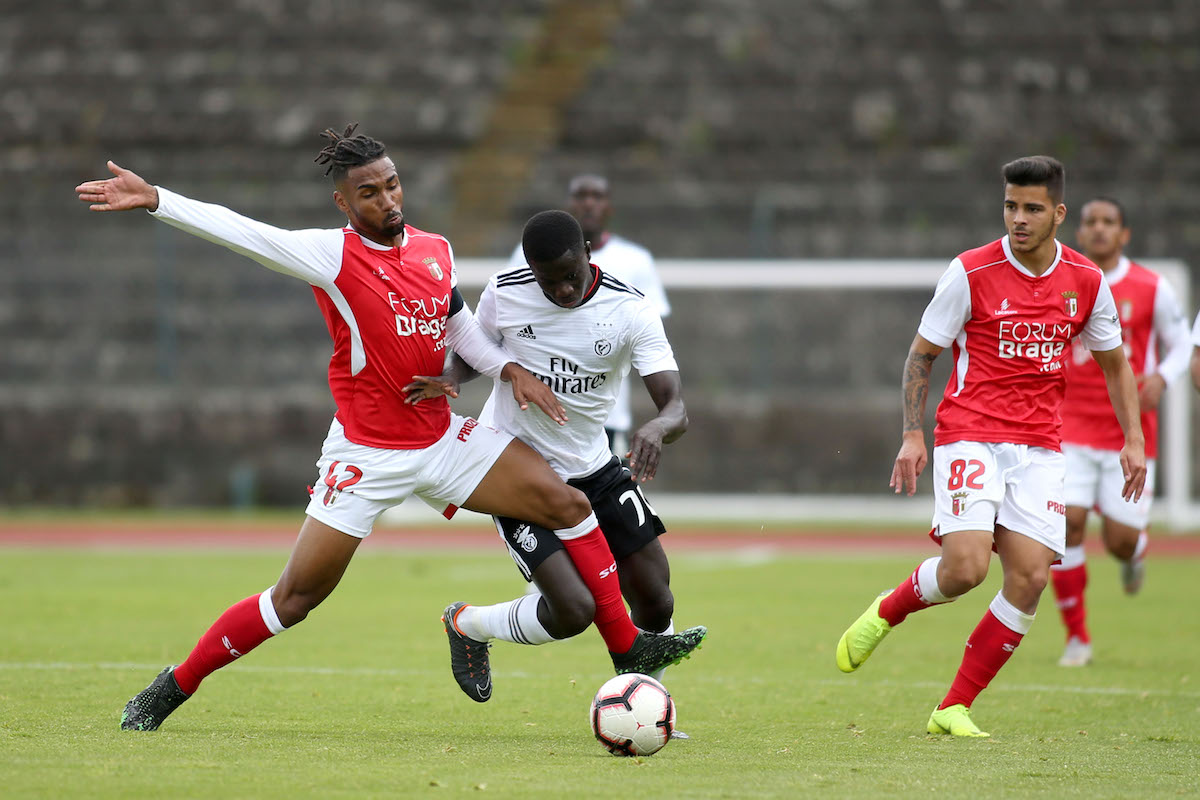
[{"x": 391, "y": 300}]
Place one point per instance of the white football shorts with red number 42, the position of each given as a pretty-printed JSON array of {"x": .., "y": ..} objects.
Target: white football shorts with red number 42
[{"x": 356, "y": 484}]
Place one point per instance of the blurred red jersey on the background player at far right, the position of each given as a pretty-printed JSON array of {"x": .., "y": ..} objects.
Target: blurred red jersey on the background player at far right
[{"x": 1088, "y": 416}]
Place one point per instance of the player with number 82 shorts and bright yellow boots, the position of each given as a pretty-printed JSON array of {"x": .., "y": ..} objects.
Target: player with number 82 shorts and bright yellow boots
[{"x": 1010, "y": 310}]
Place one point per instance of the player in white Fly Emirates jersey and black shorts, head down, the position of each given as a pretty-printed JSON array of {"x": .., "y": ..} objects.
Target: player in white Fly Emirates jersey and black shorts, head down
[{"x": 581, "y": 332}]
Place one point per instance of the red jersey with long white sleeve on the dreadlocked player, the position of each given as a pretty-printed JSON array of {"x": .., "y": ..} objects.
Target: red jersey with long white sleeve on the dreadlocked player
[{"x": 386, "y": 309}]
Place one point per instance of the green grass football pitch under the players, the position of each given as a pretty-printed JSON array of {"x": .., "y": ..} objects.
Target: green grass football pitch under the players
[{"x": 358, "y": 701}]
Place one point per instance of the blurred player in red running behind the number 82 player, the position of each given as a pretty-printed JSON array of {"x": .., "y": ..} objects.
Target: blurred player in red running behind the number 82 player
[{"x": 1156, "y": 344}]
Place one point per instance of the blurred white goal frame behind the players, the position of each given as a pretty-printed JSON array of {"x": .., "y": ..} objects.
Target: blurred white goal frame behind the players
[{"x": 688, "y": 280}]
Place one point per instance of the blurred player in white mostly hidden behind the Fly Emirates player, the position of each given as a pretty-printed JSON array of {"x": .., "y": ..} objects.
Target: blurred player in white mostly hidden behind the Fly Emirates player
[{"x": 590, "y": 202}]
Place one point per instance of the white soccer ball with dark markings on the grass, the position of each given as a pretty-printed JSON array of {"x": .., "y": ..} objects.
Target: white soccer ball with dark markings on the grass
[{"x": 633, "y": 715}]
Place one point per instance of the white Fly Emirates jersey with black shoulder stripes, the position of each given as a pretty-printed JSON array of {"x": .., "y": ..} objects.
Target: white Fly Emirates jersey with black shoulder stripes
[{"x": 581, "y": 353}]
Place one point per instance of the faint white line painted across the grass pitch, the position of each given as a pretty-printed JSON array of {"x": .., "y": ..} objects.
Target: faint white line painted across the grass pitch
[{"x": 374, "y": 672}]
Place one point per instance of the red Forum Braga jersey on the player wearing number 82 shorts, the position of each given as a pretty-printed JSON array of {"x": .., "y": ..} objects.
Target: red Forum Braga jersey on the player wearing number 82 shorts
[{"x": 1011, "y": 334}]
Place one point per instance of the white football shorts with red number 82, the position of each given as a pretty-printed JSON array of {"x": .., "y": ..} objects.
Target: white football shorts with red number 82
[{"x": 980, "y": 485}]
